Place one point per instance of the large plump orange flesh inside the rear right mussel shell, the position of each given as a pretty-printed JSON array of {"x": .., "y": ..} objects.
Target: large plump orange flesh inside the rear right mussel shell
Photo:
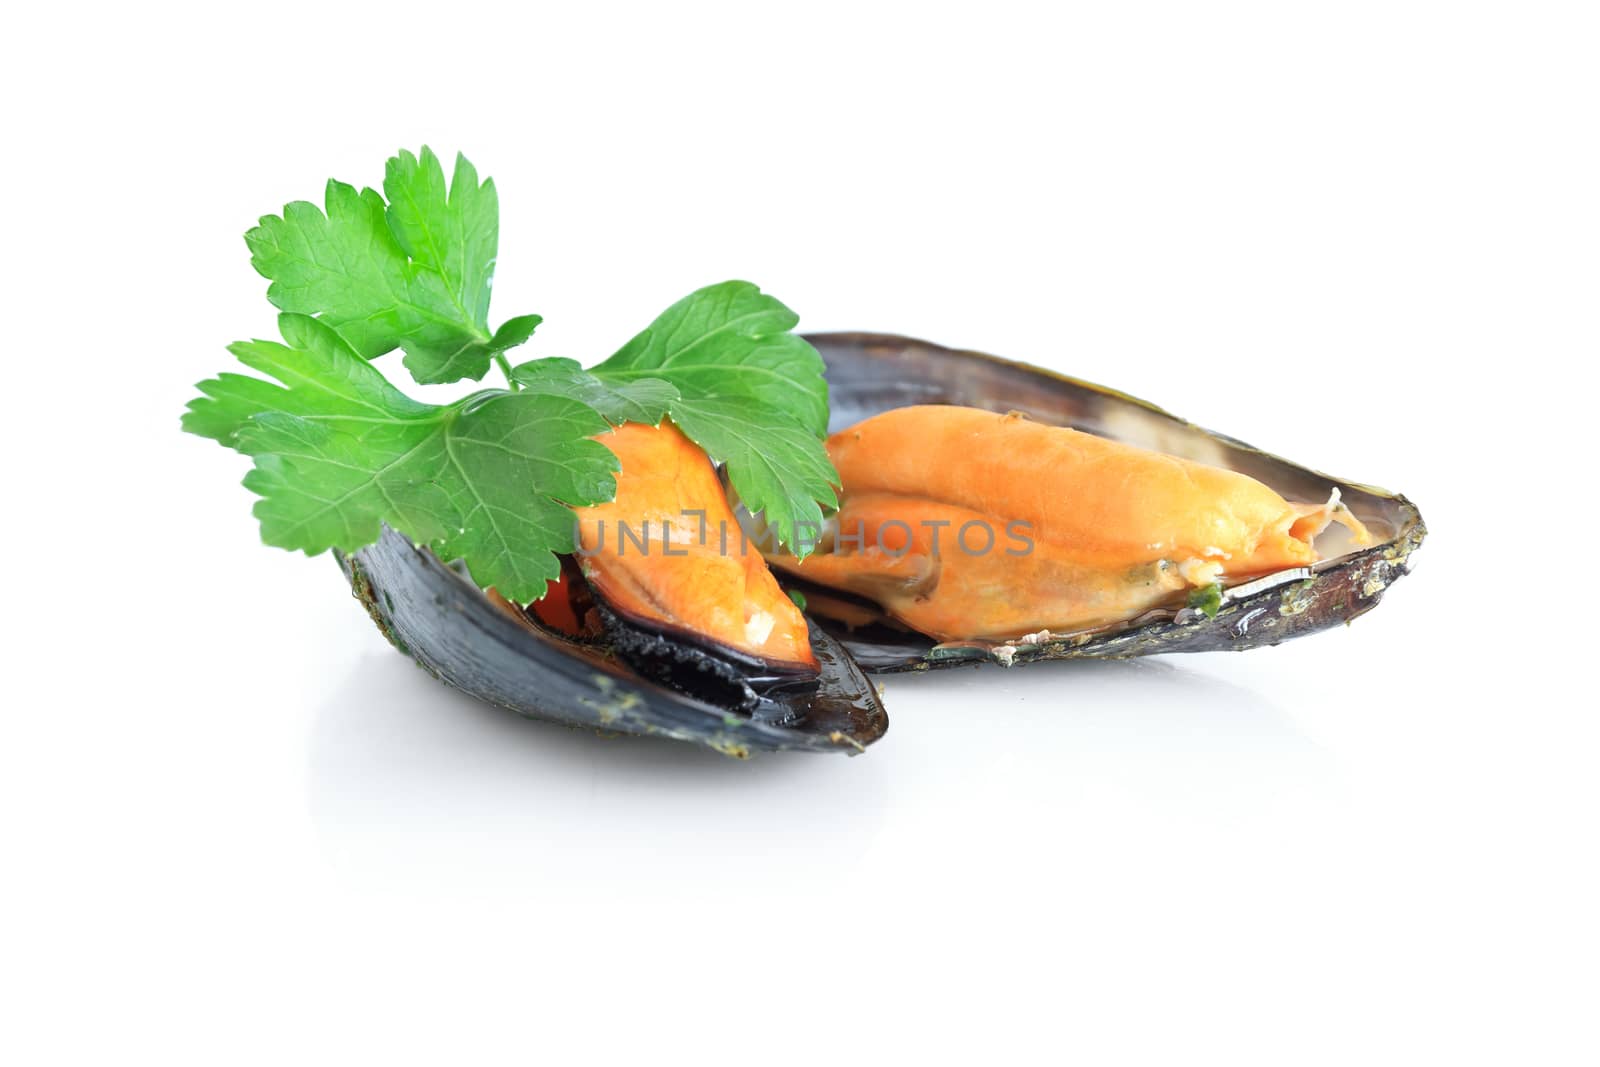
[{"x": 970, "y": 526}]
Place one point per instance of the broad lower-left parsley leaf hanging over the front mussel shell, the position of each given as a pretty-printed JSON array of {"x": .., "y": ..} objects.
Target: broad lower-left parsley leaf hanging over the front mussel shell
[{"x": 340, "y": 452}]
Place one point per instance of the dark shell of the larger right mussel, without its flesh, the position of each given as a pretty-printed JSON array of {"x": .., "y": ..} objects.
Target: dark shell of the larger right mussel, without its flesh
[{"x": 871, "y": 374}]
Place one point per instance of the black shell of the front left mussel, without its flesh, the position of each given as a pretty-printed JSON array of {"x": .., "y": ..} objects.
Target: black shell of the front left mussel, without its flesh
[{"x": 444, "y": 621}]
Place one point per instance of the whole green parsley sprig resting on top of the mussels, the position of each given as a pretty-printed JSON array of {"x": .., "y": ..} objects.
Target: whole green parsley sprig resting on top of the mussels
[{"x": 490, "y": 479}]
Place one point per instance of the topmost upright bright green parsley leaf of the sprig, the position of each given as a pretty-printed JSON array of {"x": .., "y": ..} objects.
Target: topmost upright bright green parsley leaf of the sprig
[{"x": 412, "y": 274}]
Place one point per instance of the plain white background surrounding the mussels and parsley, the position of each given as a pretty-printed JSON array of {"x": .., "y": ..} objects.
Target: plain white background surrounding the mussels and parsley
[{"x": 241, "y": 829}]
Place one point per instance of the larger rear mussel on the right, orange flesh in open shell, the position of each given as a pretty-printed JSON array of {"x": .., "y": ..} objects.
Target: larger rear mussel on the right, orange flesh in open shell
[{"x": 1121, "y": 518}]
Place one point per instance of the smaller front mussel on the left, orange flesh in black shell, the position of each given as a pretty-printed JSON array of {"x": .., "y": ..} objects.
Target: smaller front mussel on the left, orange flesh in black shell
[{"x": 658, "y": 626}]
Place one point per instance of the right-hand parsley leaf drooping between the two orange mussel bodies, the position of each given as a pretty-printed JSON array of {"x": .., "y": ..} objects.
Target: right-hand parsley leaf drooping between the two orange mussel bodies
[{"x": 750, "y": 393}]
